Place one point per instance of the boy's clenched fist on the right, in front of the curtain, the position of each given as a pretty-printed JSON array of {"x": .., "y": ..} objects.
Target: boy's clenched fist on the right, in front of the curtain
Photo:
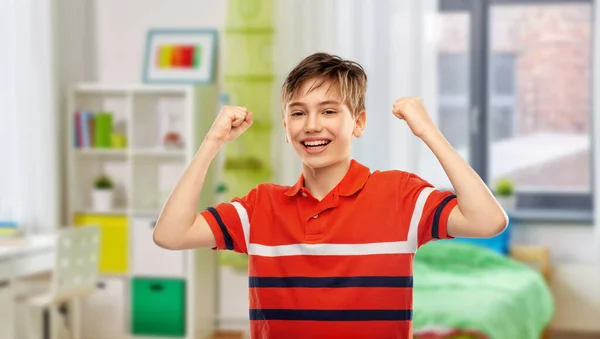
[{"x": 412, "y": 110}]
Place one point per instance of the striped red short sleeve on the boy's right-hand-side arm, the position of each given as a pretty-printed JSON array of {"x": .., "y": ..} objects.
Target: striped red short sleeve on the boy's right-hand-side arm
[{"x": 425, "y": 208}]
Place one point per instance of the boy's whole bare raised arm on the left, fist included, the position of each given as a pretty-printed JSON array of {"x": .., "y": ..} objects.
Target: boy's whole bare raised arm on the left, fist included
[{"x": 179, "y": 226}]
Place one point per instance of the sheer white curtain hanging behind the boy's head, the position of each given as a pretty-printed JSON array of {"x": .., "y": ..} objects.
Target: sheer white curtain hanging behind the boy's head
[{"x": 394, "y": 40}]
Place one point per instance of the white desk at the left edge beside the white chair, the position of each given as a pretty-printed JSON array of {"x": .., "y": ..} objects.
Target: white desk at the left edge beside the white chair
[{"x": 21, "y": 257}]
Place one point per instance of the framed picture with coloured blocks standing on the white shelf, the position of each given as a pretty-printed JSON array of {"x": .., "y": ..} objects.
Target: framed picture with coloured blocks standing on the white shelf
[{"x": 180, "y": 56}]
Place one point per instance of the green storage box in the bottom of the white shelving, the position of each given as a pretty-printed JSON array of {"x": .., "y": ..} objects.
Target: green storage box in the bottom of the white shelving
[{"x": 158, "y": 307}]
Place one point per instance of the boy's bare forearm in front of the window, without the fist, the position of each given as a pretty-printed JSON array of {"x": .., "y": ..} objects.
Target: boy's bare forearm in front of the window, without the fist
[{"x": 475, "y": 201}]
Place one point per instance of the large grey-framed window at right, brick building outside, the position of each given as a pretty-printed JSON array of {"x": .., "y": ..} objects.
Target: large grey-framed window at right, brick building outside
[{"x": 514, "y": 96}]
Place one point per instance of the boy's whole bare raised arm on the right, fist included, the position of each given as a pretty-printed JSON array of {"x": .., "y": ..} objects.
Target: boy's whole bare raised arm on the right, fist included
[{"x": 477, "y": 214}]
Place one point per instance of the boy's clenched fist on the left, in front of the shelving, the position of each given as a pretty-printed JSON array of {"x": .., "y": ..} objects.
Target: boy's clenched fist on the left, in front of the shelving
[{"x": 231, "y": 122}]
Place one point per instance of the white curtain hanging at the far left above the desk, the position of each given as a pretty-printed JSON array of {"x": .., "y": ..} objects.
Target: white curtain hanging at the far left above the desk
[{"x": 28, "y": 116}]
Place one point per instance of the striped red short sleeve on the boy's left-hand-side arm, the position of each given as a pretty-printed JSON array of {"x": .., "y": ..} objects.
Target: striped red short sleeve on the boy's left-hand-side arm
[{"x": 230, "y": 222}]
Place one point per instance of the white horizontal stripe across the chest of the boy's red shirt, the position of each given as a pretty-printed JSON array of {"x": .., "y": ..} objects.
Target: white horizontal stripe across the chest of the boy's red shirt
[{"x": 331, "y": 249}]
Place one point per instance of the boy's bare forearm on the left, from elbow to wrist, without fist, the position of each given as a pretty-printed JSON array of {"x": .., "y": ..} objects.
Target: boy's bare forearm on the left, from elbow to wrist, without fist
[{"x": 179, "y": 212}]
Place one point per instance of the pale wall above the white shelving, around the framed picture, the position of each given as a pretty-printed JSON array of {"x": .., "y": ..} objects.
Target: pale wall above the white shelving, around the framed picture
[{"x": 121, "y": 28}]
